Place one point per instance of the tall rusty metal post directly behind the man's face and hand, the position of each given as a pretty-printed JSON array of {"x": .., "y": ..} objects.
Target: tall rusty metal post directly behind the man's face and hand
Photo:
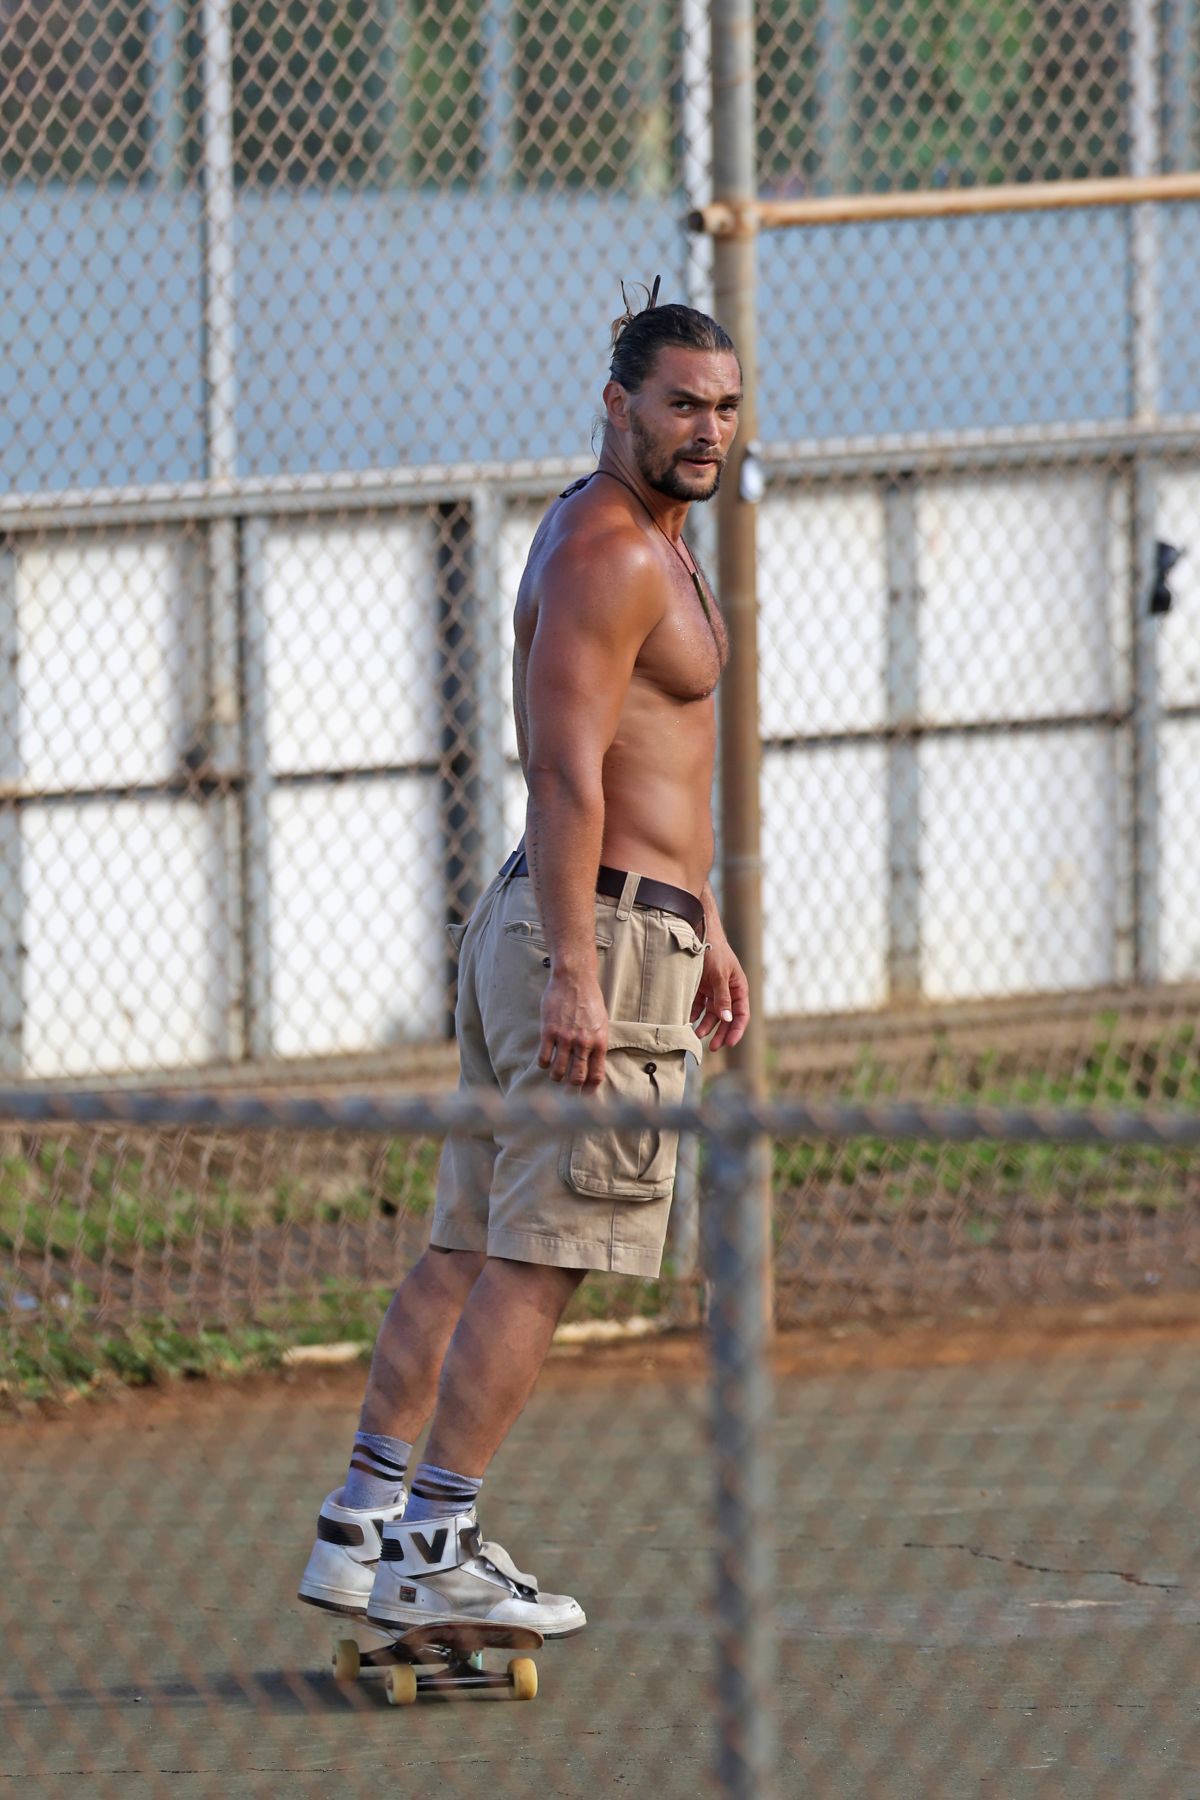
[{"x": 740, "y": 757}]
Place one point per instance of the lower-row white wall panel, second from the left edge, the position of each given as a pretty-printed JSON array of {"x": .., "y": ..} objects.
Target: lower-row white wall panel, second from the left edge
[{"x": 355, "y": 917}]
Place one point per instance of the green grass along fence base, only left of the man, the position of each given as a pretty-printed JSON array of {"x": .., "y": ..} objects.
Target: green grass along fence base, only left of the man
[{"x": 98, "y": 1201}]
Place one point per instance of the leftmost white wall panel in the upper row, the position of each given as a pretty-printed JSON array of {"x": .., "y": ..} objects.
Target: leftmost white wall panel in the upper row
[{"x": 109, "y": 651}]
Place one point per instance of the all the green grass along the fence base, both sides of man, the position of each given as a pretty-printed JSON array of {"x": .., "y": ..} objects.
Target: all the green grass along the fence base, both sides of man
[{"x": 109, "y": 1200}]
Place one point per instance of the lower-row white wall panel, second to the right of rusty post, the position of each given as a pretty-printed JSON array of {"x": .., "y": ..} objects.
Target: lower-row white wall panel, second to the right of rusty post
[{"x": 1017, "y": 865}]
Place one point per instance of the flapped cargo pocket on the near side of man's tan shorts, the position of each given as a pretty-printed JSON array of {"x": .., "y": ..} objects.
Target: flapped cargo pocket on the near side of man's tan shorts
[{"x": 649, "y": 1065}]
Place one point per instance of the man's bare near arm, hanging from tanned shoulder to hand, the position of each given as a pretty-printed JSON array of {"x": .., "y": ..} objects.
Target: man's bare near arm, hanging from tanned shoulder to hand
[{"x": 600, "y": 602}]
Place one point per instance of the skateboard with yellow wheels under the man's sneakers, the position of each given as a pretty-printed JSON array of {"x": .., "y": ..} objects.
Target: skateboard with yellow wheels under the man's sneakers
[{"x": 443, "y": 1662}]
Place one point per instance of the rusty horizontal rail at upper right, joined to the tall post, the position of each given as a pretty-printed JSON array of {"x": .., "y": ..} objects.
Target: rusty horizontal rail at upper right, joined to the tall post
[{"x": 740, "y": 220}]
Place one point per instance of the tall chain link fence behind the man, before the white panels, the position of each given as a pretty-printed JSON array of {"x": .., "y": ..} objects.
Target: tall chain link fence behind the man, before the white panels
[{"x": 305, "y": 321}]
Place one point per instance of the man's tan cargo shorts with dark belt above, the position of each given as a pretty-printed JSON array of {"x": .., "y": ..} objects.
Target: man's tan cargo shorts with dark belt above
[{"x": 602, "y": 1198}]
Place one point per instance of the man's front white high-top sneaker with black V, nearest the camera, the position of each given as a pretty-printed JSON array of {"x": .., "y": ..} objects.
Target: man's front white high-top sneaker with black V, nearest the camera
[{"x": 443, "y": 1574}]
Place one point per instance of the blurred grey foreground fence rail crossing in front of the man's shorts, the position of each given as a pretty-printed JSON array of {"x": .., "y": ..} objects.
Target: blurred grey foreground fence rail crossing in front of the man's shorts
[{"x": 724, "y": 1115}]
